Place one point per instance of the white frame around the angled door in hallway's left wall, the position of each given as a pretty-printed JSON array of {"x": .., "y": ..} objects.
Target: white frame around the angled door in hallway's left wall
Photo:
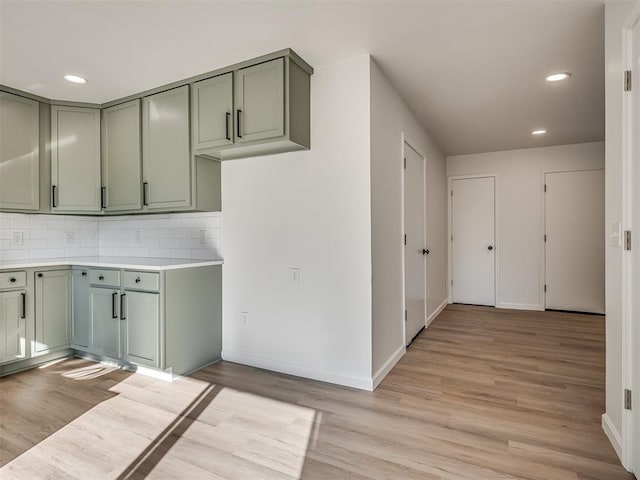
[{"x": 406, "y": 140}]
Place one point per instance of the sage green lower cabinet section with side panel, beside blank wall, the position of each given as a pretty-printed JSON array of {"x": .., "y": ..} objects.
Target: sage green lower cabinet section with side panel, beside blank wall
[{"x": 165, "y": 320}]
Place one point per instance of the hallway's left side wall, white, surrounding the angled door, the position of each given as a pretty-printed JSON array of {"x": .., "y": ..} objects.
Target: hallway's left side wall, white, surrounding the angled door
[{"x": 390, "y": 118}]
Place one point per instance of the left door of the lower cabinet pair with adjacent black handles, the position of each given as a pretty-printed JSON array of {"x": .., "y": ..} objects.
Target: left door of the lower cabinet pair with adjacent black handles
[{"x": 105, "y": 322}]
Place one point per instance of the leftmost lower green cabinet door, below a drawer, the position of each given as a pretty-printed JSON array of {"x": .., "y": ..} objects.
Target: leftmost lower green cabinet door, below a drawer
[{"x": 13, "y": 343}]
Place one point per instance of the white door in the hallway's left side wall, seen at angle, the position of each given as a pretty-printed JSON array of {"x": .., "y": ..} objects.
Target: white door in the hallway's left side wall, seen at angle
[{"x": 415, "y": 238}]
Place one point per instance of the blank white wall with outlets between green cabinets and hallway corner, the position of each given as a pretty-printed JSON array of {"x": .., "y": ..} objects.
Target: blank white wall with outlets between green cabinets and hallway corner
[{"x": 309, "y": 210}]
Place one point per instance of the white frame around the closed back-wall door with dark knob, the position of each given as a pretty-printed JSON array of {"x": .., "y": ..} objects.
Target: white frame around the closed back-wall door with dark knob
[{"x": 496, "y": 241}]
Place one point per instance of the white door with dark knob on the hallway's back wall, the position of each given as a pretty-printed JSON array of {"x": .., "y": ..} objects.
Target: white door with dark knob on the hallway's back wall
[{"x": 473, "y": 241}]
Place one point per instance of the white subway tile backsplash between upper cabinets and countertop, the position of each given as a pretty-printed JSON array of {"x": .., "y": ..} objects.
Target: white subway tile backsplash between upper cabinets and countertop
[{"x": 176, "y": 235}]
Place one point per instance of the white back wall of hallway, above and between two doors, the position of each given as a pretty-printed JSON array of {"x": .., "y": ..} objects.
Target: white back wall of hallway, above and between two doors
[{"x": 520, "y": 211}]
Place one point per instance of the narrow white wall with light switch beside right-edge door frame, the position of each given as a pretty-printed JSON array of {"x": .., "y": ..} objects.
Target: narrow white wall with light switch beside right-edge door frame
[{"x": 617, "y": 14}]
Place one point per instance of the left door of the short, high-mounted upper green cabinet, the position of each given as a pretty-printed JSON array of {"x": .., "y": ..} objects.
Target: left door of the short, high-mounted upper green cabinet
[{"x": 211, "y": 112}]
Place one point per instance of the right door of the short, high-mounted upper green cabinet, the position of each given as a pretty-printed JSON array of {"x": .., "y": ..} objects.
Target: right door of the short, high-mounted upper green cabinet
[{"x": 260, "y": 101}]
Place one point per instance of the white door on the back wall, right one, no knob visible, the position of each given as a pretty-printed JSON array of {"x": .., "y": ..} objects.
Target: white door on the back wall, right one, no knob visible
[{"x": 574, "y": 247}]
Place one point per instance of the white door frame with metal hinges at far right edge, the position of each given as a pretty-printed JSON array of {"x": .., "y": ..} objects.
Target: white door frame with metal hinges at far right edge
[{"x": 630, "y": 319}]
